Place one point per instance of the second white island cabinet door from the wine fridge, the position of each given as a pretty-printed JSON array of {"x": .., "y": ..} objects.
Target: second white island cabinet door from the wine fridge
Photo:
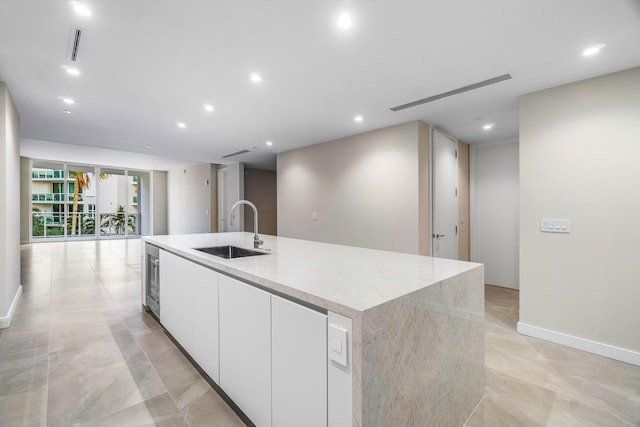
[{"x": 205, "y": 320}]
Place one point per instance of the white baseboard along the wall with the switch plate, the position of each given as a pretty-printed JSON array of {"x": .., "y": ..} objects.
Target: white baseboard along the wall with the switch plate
[{"x": 606, "y": 350}]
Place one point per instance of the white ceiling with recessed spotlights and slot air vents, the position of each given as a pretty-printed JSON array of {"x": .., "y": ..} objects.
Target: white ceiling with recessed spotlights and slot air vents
[{"x": 147, "y": 64}]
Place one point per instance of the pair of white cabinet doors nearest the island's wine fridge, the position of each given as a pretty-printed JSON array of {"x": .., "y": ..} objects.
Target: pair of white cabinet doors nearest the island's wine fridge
[{"x": 189, "y": 309}]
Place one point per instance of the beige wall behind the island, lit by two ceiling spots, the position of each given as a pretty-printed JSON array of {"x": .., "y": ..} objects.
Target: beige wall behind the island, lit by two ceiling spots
[{"x": 364, "y": 189}]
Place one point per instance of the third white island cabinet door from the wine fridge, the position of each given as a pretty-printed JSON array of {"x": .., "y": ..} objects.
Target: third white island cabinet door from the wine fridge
[{"x": 245, "y": 348}]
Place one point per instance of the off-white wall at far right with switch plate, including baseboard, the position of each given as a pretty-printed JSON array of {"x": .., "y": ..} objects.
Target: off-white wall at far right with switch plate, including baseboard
[{"x": 579, "y": 154}]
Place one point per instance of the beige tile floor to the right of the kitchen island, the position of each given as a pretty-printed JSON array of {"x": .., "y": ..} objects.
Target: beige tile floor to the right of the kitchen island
[{"x": 531, "y": 382}]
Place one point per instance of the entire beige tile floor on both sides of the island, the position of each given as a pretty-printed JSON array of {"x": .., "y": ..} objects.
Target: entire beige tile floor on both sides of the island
[{"x": 80, "y": 352}]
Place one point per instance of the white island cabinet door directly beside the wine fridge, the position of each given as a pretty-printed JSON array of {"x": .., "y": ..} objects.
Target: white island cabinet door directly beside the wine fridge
[{"x": 176, "y": 299}]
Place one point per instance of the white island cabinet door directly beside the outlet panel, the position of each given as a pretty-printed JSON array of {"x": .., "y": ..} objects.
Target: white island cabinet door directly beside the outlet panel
[{"x": 299, "y": 365}]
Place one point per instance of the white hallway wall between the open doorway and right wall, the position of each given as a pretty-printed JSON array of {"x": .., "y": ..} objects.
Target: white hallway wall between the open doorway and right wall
[{"x": 495, "y": 216}]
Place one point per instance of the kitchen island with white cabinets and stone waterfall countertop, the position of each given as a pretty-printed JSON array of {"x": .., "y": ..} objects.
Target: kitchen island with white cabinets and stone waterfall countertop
[{"x": 399, "y": 339}]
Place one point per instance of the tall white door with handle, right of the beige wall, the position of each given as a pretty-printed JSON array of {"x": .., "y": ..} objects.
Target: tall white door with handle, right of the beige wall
[{"x": 444, "y": 196}]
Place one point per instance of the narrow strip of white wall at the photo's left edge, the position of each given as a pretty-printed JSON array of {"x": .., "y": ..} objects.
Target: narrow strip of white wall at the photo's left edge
[{"x": 10, "y": 288}]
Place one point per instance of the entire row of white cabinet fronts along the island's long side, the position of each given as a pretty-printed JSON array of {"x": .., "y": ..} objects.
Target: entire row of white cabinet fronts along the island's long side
[{"x": 267, "y": 353}]
